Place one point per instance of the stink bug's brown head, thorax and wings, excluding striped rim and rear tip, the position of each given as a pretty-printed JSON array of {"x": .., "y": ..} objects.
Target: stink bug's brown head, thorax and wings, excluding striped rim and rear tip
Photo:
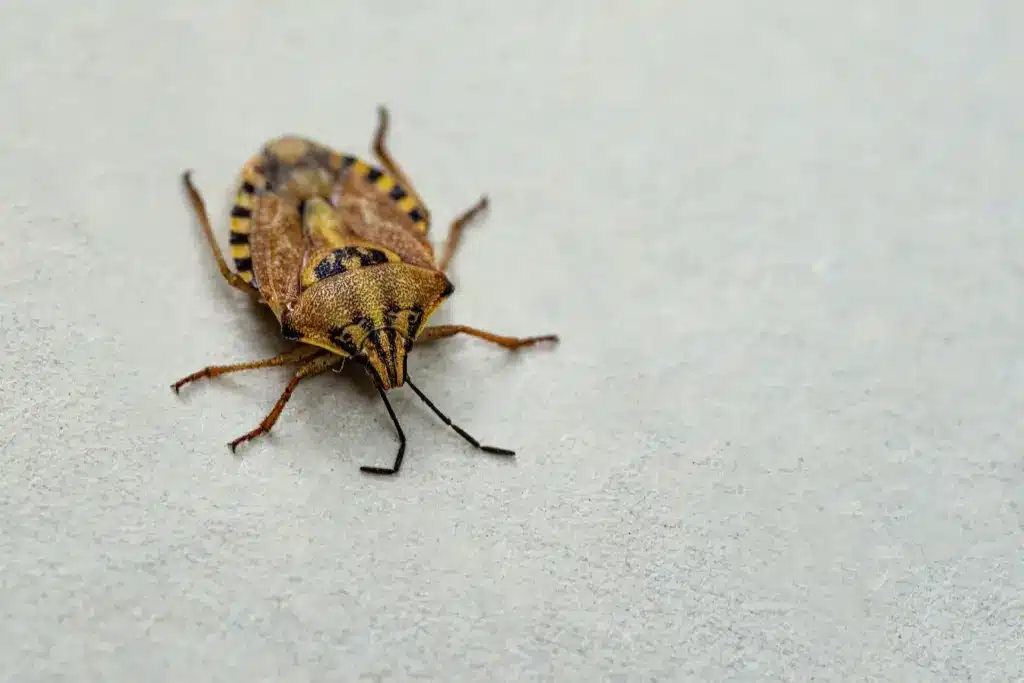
[{"x": 347, "y": 275}]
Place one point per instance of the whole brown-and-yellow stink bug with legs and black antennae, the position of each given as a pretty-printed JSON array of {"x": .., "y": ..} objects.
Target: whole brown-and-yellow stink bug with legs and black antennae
[{"x": 338, "y": 249}]
